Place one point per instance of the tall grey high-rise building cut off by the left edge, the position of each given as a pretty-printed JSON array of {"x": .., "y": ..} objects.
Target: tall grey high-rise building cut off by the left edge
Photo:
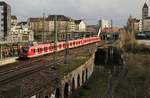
[{"x": 5, "y": 20}]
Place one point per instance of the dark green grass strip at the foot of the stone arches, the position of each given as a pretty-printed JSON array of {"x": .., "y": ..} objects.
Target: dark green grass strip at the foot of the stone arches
[{"x": 96, "y": 86}]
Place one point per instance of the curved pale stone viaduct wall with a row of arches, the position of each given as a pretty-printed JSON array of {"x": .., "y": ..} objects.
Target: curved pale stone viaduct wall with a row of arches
[{"x": 70, "y": 82}]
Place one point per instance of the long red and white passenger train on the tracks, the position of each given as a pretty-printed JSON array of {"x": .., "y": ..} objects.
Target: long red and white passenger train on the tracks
[{"x": 42, "y": 49}]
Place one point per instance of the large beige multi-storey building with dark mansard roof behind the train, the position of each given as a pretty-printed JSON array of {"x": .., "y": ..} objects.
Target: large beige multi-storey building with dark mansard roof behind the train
[{"x": 44, "y": 27}]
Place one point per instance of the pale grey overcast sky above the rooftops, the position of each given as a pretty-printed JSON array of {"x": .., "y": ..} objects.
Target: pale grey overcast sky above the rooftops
[{"x": 90, "y": 10}]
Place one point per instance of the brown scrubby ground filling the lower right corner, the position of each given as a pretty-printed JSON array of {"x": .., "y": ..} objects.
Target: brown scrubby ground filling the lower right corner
[{"x": 137, "y": 82}]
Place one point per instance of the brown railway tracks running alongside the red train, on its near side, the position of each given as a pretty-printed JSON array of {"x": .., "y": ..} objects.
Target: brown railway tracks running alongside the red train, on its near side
[{"x": 10, "y": 73}]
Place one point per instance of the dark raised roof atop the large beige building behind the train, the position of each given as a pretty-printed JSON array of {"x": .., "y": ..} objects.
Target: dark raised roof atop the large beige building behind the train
[{"x": 59, "y": 18}]
